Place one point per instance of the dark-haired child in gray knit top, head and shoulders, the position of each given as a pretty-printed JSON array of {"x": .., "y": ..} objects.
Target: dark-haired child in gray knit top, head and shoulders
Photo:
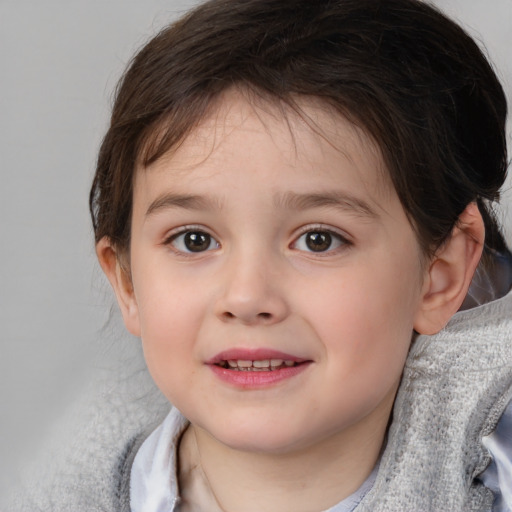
[{"x": 290, "y": 203}]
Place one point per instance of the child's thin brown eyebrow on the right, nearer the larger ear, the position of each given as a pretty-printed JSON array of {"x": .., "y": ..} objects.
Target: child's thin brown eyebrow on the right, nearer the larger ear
[{"x": 336, "y": 199}]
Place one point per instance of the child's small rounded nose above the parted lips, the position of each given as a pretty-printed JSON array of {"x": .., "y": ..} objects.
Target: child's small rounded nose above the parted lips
[{"x": 253, "y": 292}]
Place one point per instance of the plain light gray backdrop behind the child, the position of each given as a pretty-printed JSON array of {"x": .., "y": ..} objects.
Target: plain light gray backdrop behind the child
[{"x": 59, "y": 63}]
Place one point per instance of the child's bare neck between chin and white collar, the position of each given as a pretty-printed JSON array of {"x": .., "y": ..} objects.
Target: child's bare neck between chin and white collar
[{"x": 307, "y": 479}]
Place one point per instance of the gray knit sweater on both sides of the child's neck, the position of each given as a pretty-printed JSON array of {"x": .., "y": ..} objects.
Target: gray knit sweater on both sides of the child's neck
[{"x": 454, "y": 389}]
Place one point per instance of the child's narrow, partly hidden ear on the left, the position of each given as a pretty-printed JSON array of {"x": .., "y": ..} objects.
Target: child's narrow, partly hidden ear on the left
[{"x": 119, "y": 277}]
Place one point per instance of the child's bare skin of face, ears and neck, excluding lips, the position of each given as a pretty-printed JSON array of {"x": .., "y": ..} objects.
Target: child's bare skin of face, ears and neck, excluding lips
[{"x": 260, "y": 183}]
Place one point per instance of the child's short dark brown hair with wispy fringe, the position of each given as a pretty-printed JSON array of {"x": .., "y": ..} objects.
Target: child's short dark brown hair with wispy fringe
[{"x": 410, "y": 77}]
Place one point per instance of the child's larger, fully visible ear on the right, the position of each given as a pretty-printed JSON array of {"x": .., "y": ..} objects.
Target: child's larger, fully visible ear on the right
[{"x": 450, "y": 272}]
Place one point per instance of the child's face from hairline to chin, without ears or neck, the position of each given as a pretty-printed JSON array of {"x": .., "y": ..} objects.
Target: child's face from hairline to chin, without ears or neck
[{"x": 262, "y": 239}]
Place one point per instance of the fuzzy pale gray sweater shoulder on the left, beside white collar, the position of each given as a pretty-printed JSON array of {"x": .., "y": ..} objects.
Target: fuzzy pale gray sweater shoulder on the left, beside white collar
[{"x": 85, "y": 465}]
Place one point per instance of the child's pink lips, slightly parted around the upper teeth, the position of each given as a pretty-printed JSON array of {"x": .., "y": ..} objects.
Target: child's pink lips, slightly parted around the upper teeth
[{"x": 256, "y": 379}]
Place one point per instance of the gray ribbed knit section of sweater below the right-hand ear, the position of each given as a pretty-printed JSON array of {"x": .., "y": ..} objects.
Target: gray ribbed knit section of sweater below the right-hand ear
[{"x": 454, "y": 389}]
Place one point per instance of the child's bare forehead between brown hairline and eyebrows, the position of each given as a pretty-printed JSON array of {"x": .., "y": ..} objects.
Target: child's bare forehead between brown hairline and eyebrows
[{"x": 242, "y": 135}]
